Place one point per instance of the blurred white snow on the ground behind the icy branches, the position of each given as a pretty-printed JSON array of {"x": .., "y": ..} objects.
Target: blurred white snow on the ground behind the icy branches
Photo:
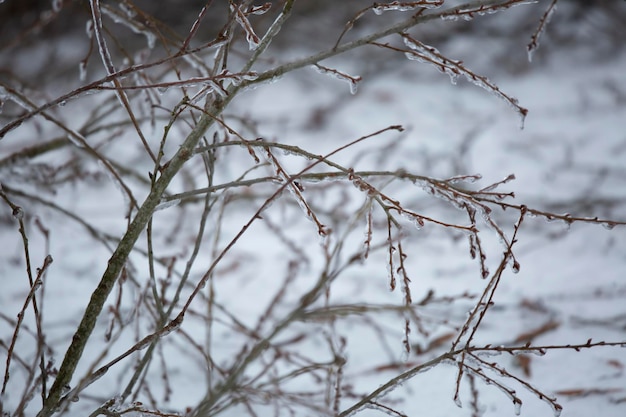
[{"x": 570, "y": 153}]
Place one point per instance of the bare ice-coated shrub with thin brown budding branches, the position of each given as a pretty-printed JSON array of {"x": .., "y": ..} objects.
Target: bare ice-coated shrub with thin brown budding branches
[{"x": 244, "y": 273}]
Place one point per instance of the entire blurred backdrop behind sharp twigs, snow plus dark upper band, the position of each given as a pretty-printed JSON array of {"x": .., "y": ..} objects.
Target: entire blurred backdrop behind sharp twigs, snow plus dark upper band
[{"x": 570, "y": 157}]
